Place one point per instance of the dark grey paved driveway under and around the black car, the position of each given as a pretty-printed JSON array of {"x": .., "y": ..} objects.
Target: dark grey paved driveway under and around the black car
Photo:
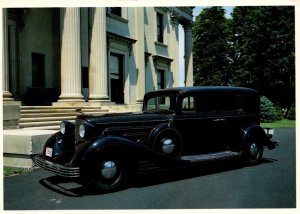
[{"x": 271, "y": 184}]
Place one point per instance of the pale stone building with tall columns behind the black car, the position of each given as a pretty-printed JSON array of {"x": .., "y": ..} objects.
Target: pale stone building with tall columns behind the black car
[{"x": 90, "y": 56}]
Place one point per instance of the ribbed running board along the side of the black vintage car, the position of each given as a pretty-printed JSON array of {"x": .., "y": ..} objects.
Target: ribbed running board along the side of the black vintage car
[{"x": 211, "y": 156}]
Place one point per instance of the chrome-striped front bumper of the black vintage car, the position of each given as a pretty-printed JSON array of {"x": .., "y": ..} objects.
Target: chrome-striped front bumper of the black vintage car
[{"x": 59, "y": 169}]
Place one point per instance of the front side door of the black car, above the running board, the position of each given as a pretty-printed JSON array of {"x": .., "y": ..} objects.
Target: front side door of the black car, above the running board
[{"x": 196, "y": 125}]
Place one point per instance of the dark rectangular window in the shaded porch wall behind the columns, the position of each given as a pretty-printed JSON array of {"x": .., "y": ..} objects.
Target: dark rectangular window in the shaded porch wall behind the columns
[{"x": 38, "y": 70}]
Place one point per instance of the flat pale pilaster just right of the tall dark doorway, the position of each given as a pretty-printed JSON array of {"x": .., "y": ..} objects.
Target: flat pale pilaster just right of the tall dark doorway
[{"x": 140, "y": 57}]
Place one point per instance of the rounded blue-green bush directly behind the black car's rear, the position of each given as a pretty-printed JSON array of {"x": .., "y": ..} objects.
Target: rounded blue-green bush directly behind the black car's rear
[{"x": 268, "y": 111}]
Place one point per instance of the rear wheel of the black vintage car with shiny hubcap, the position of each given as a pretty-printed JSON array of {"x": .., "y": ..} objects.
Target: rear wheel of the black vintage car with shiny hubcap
[{"x": 253, "y": 150}]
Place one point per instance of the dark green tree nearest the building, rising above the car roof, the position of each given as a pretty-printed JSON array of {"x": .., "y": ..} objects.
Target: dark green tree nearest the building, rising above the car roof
[{"x": 210, "y": 47}]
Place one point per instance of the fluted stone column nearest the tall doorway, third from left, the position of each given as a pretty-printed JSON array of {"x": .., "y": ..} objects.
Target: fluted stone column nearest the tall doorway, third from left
[{"x": 98, "y": 88}]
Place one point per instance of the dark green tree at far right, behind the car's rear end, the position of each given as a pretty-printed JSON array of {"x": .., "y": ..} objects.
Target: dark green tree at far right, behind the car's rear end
[{"x": 263, "y": 51}]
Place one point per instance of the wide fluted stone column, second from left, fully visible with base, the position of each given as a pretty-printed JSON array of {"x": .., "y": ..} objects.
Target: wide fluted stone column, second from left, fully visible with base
[{"x": 70, "y": 56}]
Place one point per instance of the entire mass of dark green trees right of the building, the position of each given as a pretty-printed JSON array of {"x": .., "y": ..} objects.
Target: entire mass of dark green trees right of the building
[{"x": 255, "y": 48}]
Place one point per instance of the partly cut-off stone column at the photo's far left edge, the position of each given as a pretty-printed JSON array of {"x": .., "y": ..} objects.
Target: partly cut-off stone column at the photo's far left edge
[{"x": 7, "y": 96}]
